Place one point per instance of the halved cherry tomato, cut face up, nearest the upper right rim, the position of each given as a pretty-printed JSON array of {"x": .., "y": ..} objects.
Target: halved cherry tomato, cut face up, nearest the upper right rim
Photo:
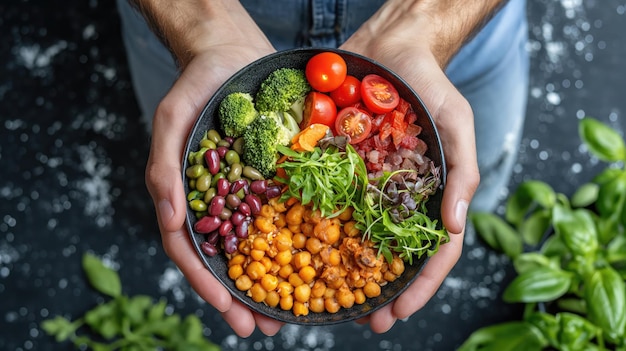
[{"x": 378, "y": 94}]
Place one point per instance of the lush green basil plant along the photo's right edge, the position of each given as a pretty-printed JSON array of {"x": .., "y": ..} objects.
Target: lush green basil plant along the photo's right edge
[{"x": 572, "y": 278}]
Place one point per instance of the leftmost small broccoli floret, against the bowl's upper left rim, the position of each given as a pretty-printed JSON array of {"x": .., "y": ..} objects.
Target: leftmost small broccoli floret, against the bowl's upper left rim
[{"x": 236, "y": 112}]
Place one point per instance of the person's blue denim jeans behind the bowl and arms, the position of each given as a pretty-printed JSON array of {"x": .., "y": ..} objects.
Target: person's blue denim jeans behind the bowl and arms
[{"x": 491, "y": 71}]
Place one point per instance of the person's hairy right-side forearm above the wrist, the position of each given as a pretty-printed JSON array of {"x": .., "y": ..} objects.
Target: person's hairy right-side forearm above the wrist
[{"x": 442, "y": 25}]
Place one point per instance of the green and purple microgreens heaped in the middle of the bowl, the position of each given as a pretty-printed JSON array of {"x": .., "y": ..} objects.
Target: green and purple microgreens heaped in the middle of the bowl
[{"x": 391, "y": 211}]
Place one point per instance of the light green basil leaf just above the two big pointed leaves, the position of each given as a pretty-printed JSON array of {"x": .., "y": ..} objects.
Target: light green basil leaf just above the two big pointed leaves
[{"x": 577, "y": 229}]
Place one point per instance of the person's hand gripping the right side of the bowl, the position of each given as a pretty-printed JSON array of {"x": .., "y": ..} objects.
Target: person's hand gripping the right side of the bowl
[{"x": 400, "y": 40}]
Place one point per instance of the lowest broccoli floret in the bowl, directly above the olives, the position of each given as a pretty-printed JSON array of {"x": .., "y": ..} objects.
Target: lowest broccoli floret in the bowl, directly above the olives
[{"x": 260, "y": 140}]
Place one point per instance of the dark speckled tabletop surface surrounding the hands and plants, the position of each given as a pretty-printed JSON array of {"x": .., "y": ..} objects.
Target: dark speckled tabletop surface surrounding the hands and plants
[{"x": 73, "y": 152}]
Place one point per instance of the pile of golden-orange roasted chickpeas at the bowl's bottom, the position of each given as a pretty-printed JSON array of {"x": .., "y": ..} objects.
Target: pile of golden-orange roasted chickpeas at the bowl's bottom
[{"x": 296, "y": 260}]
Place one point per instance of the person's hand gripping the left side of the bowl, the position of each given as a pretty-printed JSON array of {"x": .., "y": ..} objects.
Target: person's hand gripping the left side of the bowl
[{"x": 223, "y": 50}]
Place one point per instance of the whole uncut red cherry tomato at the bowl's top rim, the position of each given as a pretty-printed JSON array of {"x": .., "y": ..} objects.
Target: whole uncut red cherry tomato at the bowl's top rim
[{"x": 326, "y": 71}]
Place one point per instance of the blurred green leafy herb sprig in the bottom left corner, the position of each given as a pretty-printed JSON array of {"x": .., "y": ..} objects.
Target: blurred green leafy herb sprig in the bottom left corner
[{"x": 124, "y": 322}]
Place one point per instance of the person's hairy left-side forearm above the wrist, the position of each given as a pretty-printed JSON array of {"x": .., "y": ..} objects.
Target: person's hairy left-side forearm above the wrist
[{"x": 186, "y": 28}]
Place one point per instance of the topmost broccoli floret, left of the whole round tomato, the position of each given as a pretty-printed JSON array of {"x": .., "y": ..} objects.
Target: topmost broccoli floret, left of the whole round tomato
[{"x": 281, "y": 89}]
